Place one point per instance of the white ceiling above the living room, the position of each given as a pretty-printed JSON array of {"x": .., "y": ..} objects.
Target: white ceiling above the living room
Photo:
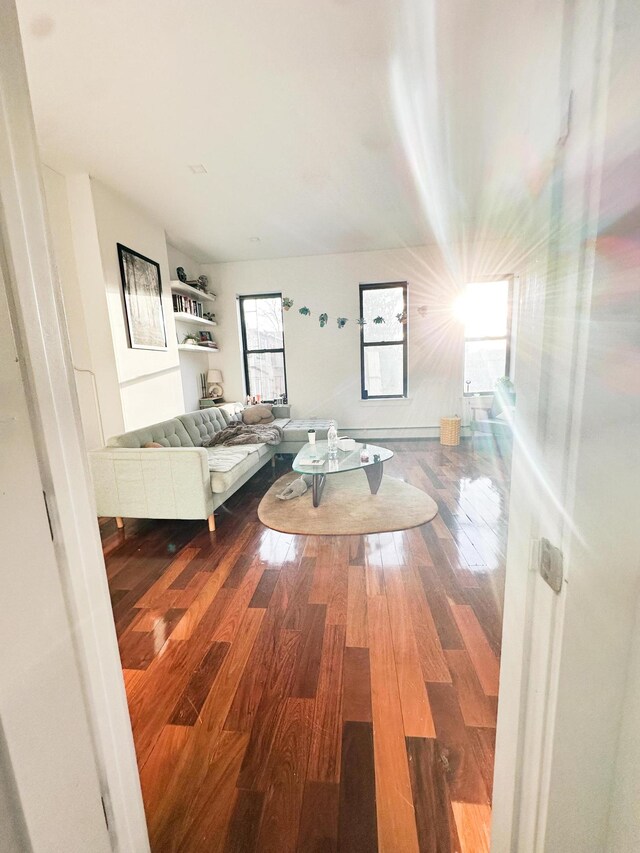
[{"x": 291, "y": 106}]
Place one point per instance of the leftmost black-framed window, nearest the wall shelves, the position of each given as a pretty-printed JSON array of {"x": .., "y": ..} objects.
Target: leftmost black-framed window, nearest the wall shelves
[{"x": 263, "y": 345}]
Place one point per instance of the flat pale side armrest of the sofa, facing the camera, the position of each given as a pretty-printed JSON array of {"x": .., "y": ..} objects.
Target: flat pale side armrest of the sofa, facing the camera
[{"x": 164, "y": 482}]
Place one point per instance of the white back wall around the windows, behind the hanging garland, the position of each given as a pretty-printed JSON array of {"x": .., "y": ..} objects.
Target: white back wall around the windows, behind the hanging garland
[{"x": 323, "y": 365}]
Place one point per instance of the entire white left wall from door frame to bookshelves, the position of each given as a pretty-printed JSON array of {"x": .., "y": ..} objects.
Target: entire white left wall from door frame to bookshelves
[{"x": 118, "y": 388}]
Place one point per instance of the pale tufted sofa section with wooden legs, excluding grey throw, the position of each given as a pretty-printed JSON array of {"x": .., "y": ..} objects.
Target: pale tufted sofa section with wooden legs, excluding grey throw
[{"x": 180, "y": 479}]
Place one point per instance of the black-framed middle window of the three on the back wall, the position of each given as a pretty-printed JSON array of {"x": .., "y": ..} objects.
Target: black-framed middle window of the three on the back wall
[{"x": 383, "y": 346}]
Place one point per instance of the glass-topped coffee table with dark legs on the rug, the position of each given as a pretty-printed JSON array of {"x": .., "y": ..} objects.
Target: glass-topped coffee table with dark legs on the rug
[{"x": 314, "y": 459}]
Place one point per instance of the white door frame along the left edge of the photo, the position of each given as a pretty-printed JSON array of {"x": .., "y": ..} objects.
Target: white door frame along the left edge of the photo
[{"x": 34, "y": 290}]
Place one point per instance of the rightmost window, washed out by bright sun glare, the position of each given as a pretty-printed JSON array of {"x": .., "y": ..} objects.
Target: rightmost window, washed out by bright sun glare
[{"x": 485, "y": 310}]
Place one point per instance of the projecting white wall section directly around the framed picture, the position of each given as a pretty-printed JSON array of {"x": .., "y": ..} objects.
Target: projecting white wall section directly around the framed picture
[{"x": 150, "y": 381}]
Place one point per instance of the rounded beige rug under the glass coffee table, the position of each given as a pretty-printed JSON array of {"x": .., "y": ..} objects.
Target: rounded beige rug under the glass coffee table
[{"x": 347, "y": 507}]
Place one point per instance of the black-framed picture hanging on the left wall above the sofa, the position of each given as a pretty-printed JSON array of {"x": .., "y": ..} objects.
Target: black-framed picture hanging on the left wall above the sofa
[{"x": 142, "y": 290}]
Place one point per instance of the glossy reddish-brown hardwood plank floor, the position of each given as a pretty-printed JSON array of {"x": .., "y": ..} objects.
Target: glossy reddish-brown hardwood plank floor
[{"x": 318, "y": 693}]
